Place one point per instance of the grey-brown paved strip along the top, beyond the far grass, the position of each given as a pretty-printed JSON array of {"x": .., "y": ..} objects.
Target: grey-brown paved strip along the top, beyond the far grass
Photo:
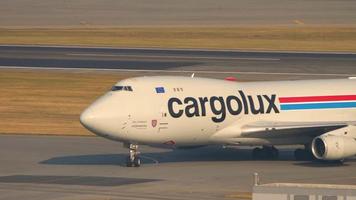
[{"x": 88, "y": 13}]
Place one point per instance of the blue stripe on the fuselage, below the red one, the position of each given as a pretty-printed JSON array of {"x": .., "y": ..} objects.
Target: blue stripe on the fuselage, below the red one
[{"x": 308, "y": 106}]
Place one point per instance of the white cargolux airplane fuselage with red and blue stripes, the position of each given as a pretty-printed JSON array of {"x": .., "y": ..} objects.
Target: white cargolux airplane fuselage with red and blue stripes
[{"x": 183, "y": 111}]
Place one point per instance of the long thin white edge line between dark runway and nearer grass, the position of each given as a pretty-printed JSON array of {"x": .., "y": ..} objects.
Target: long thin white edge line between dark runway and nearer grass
[{"x": 182, "y": 71}]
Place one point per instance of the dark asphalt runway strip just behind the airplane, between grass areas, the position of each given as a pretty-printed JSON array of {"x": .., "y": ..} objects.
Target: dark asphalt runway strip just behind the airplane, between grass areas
[{"x": 247, "y": 65}]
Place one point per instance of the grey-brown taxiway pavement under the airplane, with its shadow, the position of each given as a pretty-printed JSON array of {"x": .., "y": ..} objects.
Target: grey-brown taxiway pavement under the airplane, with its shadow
[{"x": 56, "y": 167}]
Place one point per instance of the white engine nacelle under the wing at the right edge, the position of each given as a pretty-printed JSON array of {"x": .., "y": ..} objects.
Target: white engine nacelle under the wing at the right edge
[{"x": 333, "y": 147}]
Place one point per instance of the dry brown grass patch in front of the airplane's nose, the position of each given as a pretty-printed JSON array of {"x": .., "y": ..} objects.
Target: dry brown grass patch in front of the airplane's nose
[{"x": 49, "y": 102}]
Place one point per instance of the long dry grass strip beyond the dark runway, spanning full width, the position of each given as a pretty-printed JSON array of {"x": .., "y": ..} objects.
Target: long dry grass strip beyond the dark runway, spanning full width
[{"x": 300, "y": 38}]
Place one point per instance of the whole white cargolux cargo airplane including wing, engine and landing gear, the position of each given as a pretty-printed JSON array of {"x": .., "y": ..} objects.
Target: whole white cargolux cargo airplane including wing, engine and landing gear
[{"x": 187, "y": 112}]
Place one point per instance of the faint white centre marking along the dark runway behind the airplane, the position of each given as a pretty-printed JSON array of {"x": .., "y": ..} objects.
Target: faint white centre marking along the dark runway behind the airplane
[{"x": 173, "y": 57}]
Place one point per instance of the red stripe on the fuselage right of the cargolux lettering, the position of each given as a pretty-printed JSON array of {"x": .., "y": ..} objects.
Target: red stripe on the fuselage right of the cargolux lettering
[{"x": 317, "y": 98}]
